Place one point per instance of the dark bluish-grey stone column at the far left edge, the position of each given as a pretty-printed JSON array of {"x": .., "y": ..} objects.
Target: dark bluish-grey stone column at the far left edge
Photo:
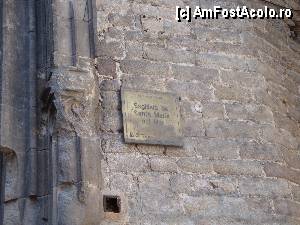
[{"x": 17, "y": 113}]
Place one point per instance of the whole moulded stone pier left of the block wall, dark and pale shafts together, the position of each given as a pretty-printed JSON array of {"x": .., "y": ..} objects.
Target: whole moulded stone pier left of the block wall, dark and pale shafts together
[{"x": 53, "y": 166}]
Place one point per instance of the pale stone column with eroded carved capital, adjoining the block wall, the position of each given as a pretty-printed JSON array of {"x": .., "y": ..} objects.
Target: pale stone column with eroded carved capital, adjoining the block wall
[{"x": 75, "y": 162}]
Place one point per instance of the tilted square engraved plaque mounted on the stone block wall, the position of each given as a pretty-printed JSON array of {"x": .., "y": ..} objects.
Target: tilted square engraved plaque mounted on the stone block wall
[{"x": 151, "y": 117}]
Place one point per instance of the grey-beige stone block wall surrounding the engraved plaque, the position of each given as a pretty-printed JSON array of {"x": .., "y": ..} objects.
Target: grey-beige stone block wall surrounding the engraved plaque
[{"x": 238, "y": 81}]
